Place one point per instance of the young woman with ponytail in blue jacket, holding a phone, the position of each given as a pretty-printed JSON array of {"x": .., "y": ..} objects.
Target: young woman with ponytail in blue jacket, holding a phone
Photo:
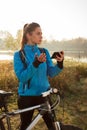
[{"x": 39, "y": 67}]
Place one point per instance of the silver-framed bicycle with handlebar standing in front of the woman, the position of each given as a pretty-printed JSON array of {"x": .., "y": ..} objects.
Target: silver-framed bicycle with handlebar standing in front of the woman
[{"x": 42, "y": 109}]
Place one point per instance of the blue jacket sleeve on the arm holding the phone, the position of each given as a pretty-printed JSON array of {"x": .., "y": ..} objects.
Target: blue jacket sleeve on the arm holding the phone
[{"x": 52, "y": 70}]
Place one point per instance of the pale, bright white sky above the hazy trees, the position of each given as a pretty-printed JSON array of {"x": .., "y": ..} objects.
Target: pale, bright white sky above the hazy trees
[{"x": 59, "y": 19}]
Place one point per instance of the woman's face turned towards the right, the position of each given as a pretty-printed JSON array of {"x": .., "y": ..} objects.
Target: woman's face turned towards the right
[{"x": 35, "y": 36}]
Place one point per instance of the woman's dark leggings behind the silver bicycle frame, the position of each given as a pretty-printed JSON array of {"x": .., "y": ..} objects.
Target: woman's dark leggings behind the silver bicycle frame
[{"x": 26, "y": 117}]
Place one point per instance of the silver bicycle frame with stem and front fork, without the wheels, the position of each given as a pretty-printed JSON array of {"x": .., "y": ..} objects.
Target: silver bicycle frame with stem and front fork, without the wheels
[{"x": 43, "y": 109}]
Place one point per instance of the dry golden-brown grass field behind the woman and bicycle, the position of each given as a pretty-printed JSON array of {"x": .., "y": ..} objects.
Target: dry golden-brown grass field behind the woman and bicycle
[{"x": 72, "y": 82}]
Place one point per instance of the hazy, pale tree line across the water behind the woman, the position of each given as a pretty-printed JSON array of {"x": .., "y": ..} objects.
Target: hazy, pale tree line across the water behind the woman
[{"x": 8, "y": 42}]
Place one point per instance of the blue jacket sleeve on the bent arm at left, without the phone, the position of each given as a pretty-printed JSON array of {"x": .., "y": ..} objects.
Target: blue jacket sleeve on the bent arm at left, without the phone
[{"x": 22, "y": 74}]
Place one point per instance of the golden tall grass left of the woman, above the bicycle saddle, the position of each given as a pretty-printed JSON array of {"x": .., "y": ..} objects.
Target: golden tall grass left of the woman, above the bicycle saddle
[{"x": 8, "y": 81}]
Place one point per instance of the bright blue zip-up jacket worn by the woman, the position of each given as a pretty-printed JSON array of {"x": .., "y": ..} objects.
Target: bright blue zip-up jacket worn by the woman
[{"x": 39, "y": 76}]
